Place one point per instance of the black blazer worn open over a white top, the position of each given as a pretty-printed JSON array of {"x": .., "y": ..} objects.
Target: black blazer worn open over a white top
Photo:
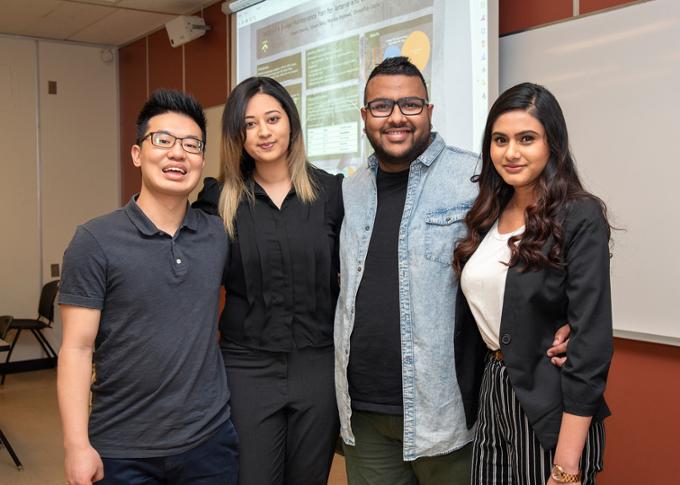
[{"x": 535, "y": 305}]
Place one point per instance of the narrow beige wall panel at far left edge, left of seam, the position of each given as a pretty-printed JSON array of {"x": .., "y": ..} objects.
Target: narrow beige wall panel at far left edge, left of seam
[{"x": 20, "y": 240}]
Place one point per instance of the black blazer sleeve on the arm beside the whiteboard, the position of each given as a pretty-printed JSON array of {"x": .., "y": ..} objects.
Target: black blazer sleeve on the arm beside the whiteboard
[{"x": 589, "y": 352}]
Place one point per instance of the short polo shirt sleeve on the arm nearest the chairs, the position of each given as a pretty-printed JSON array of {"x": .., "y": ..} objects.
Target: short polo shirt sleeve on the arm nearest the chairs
[{"x": 83, "y": 281}]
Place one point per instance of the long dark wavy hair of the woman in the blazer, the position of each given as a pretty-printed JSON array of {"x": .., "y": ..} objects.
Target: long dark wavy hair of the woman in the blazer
[{"x": 555, "y": 187}]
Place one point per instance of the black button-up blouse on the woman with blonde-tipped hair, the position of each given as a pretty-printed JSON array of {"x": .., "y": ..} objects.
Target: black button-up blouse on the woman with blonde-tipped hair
[{"x": 281, "y": 278}]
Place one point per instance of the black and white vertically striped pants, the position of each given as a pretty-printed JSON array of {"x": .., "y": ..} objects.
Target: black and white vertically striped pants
[{"x": 506, "y": 450}]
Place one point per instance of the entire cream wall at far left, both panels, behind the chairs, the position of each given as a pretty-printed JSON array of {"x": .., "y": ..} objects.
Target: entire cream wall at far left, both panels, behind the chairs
[{"x": 71, "y": 142}]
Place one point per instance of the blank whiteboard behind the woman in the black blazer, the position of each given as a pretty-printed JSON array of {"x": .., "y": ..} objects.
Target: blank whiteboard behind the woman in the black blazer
[{"x": 617, "y": 77}]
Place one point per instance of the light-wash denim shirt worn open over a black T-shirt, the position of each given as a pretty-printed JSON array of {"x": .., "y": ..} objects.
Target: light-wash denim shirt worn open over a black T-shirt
[{"x": 438, "y": 195}]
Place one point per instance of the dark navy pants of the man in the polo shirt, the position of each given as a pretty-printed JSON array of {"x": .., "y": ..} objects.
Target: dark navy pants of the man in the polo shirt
[{"x": 213, "y": 462}]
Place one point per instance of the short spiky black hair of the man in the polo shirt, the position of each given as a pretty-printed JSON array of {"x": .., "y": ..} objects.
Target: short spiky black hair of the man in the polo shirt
[{"x": 170, "y": 101}]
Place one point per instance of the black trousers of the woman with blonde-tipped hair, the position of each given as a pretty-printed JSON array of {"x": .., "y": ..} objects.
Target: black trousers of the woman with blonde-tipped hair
[{"x": 284, "y": 409}]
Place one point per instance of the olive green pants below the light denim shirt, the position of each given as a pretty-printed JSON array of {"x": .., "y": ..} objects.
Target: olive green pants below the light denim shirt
[{"x": 377, "y": 458}]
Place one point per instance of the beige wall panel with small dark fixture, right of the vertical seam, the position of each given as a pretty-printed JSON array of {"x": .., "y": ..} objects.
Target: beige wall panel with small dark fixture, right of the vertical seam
[{"x": 79, "y": 144}]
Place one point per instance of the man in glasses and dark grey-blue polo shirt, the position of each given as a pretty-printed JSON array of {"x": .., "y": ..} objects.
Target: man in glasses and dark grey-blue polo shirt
[{"x": 139, "y": 298}]
